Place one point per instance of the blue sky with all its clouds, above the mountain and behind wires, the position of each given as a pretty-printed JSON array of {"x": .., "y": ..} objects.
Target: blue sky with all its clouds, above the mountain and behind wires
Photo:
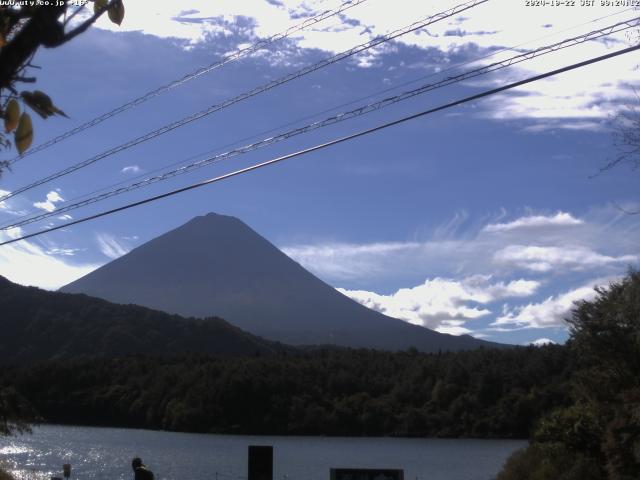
[{"x": 489, "y": 219}]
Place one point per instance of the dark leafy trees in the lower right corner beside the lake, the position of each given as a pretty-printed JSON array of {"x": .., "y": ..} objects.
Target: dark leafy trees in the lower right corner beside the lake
[{"x": 597, "y": 437}]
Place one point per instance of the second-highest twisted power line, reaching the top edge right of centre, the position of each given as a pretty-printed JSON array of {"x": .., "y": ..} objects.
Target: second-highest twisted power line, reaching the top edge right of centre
[{"x": 268, "y": 86}]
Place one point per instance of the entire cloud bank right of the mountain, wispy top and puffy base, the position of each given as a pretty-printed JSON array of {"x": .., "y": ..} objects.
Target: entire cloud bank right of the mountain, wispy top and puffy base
[{"x": 478, "y": 273}]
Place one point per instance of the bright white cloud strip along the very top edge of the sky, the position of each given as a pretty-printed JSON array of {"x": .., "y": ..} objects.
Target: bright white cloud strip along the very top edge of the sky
[{"x": 486, "y": 25}]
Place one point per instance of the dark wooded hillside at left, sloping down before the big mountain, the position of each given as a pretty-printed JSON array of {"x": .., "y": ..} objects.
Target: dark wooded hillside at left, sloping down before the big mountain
[{"x": 39, "y": 325}]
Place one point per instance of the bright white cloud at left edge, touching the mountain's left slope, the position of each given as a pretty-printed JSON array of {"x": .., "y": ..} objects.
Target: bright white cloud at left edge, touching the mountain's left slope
[{"x": 28, "y": 264}]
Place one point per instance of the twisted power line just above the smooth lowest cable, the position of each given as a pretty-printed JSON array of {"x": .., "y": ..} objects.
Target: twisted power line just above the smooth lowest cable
[{"x": 362, "y": 110}]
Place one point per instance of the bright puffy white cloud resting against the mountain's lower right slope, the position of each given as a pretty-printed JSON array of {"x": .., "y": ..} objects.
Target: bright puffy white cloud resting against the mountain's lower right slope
[{"x": 444, "y": 304}]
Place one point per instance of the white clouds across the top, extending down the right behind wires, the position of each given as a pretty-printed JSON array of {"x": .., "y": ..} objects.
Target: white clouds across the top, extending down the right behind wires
[{"x": 572, "y": 98}]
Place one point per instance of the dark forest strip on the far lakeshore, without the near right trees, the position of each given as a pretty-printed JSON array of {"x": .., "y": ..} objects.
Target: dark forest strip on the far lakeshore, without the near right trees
[{"x": 481, "y": 393}]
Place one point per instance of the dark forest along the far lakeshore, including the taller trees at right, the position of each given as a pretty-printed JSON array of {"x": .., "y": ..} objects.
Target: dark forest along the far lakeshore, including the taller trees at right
[{"x": 579, "y": 404}]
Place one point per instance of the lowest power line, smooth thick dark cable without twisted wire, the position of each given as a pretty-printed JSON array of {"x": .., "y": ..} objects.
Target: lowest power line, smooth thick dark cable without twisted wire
[{"x": 332, "y": 142}]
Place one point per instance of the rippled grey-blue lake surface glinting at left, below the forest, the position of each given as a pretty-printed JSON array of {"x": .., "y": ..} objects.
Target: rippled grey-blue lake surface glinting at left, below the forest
[{"x": 105, "y": 453}]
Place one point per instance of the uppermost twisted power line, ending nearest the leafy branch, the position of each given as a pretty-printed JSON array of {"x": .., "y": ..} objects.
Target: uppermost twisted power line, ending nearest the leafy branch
[{"x": 237, "y": 55}]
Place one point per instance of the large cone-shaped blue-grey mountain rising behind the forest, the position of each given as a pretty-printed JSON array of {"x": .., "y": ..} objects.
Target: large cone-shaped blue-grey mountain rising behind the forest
[{"x": 217, "y": 265}]
